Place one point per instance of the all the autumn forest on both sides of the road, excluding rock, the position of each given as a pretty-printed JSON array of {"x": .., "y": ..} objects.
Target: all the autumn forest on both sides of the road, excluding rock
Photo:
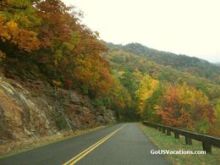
[{"x": 46, "y": 40}]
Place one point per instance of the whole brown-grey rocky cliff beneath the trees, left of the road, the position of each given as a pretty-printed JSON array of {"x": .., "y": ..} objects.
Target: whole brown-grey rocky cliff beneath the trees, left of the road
[{"x": 35, "y": 109}]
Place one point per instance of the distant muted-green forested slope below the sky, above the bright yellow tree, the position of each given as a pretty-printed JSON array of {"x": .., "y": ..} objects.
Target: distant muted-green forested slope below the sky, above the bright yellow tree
[{"x": 159, "y": 67}]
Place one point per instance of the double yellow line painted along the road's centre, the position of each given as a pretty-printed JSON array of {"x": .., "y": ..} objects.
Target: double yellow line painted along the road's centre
[{"x": 82, "y": 154}]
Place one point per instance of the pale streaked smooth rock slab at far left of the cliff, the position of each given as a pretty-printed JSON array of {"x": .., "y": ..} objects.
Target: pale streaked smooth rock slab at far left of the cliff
[{"x": 21, "y": 116}]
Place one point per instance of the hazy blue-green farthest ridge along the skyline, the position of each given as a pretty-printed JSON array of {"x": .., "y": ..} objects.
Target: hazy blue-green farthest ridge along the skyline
[{"x": 192, "y": 65}]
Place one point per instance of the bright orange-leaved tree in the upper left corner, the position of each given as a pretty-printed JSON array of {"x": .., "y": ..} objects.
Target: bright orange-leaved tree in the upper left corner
[{"x": 17, "y": 27}]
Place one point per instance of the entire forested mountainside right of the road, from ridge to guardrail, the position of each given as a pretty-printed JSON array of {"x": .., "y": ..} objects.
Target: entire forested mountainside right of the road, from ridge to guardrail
[{"x": 158, "y": 79}]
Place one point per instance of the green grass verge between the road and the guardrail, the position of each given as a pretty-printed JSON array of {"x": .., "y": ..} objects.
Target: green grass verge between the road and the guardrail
[{"x": 162, "y": 141}]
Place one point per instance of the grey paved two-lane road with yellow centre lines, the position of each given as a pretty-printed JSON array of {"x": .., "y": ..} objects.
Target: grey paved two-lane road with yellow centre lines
[{"x": 121, "y": 144}]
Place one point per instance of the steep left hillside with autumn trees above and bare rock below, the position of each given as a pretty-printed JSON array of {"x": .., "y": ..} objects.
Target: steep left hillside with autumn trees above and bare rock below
[{"x": 52, "y": 78}]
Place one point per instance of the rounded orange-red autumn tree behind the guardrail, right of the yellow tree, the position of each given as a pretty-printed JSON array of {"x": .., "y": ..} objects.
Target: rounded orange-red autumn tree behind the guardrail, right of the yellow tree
[{"x": 186, "y": 107}]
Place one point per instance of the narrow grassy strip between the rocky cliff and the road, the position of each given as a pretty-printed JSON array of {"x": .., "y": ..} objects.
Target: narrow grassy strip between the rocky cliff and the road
[{"x": 17, "y": 147}]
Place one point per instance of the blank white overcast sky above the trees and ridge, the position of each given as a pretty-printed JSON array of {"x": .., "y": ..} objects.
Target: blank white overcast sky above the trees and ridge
[{"x": 190, "y": 27}]
